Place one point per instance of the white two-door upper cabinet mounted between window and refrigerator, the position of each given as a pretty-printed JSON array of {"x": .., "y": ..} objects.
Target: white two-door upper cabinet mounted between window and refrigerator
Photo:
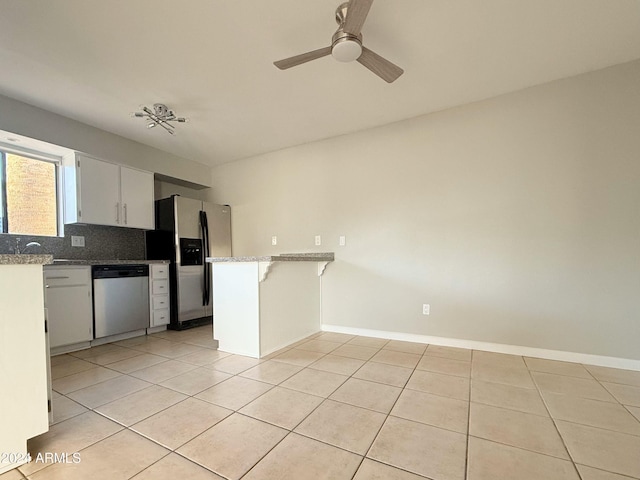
[{"x": 103, "y": 193}]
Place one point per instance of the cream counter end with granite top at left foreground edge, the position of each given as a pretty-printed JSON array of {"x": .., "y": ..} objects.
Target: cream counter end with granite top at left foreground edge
[{"x": 23, "y": 356}]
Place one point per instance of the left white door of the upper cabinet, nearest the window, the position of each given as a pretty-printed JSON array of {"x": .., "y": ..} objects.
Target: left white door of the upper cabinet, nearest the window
[{"x": 98, "y": 191}]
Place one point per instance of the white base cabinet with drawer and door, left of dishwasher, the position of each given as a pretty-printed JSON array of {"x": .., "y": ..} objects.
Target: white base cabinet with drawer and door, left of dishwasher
[{"x": 68, "y": 300}]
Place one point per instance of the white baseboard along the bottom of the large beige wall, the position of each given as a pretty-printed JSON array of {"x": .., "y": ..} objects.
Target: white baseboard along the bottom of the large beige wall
[{"x": 599, "y": 360}]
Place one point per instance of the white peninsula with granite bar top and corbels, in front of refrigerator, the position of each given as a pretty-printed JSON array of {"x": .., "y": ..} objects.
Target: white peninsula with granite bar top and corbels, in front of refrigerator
[{"x": 262, "y": 304}]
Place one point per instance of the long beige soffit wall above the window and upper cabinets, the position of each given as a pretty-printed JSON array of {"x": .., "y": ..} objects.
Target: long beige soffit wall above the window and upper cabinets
[{"x": 33, "y": 122}]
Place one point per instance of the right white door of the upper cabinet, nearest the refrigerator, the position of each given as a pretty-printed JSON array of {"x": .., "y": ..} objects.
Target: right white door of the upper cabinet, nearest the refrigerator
[{"x": 137, "y": 198}]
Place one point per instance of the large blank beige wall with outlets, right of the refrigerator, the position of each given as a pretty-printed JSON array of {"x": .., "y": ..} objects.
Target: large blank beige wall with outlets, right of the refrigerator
[{"x": 517, "y": 218}]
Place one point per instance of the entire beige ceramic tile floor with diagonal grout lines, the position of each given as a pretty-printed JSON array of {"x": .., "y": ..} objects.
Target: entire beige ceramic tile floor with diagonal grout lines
[{"x": 334, "y": 406}]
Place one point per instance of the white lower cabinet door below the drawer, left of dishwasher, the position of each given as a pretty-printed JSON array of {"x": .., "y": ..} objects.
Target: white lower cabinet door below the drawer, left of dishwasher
[{"x": 69, "y": 315}]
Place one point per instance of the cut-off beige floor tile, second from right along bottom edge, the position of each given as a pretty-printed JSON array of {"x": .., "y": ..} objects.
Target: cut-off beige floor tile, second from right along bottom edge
[{"x": 492, "y": 461}]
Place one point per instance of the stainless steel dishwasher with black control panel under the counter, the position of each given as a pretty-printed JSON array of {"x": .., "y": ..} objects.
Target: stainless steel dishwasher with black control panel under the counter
[{"x": 120, "y": 299}]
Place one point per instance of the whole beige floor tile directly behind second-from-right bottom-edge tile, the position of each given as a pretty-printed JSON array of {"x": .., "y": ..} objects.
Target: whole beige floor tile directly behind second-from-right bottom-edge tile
[{"x": 518, "y": 429}]
